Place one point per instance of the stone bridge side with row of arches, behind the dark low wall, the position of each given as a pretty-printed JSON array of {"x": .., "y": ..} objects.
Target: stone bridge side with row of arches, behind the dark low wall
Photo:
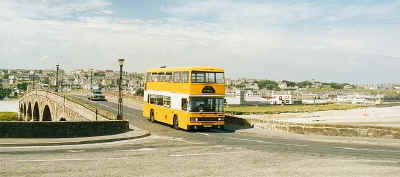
[{"x": 43, "y": 105}]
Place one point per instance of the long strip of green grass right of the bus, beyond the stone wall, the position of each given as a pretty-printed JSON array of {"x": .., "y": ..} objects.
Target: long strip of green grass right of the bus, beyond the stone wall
[{"x": 277, "y": 109}]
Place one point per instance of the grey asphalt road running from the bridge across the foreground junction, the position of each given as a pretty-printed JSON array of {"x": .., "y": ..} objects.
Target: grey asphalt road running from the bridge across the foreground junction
[{"x": 170, "y": 152}]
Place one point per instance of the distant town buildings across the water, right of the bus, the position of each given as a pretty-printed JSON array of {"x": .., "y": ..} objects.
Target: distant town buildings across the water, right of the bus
[{"x": 298, "y": 93}]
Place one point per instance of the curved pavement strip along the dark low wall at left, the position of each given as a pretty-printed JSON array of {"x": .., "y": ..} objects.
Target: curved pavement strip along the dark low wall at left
[{"x": 135, "y": 133}]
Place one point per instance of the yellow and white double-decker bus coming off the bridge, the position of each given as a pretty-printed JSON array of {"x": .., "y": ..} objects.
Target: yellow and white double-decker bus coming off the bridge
[{"x": 187, "y": 98}]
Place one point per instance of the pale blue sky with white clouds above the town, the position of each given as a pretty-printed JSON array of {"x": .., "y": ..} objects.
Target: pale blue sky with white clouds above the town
[{"x": 328, "y": 40}]
